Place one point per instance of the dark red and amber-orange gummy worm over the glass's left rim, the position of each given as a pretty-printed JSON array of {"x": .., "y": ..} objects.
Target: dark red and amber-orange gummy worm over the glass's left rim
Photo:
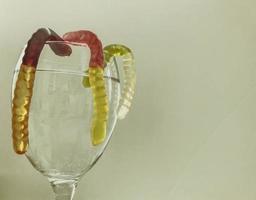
[{"x": 24, "y": 86}]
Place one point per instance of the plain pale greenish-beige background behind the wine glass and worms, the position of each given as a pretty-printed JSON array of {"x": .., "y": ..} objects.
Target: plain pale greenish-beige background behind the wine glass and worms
[{"x": 191, "y": 132}]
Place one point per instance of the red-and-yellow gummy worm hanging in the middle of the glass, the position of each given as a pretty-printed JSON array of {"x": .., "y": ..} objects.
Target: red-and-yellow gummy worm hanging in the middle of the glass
[{"x": 96, "y": 82}]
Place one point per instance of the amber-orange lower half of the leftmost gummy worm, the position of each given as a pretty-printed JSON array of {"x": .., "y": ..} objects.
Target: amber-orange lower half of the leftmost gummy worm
[{"x": 20, "y": 108}]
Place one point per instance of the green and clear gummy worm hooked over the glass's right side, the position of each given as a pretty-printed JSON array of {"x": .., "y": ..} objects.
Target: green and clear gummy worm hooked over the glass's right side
[{"x": 115, "y": 50}]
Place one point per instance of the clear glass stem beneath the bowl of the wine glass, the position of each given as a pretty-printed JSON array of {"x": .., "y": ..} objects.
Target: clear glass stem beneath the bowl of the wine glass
[{"x": 63, "y": 189}]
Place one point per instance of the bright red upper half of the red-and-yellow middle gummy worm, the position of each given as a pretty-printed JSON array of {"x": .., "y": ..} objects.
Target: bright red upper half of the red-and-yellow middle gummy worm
[{"x": 94, "y": 44}]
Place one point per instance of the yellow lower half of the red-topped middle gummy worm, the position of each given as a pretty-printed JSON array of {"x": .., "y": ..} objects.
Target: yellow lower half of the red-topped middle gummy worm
[{"x": 100, "y": 105}]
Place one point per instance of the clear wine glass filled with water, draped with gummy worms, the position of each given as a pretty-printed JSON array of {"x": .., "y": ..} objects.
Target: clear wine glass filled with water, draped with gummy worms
[{"x": 61, "y": 113}]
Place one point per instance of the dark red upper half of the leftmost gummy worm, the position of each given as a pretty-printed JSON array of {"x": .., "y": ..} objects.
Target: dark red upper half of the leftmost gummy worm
[{"x": 36, "y": 44}]
